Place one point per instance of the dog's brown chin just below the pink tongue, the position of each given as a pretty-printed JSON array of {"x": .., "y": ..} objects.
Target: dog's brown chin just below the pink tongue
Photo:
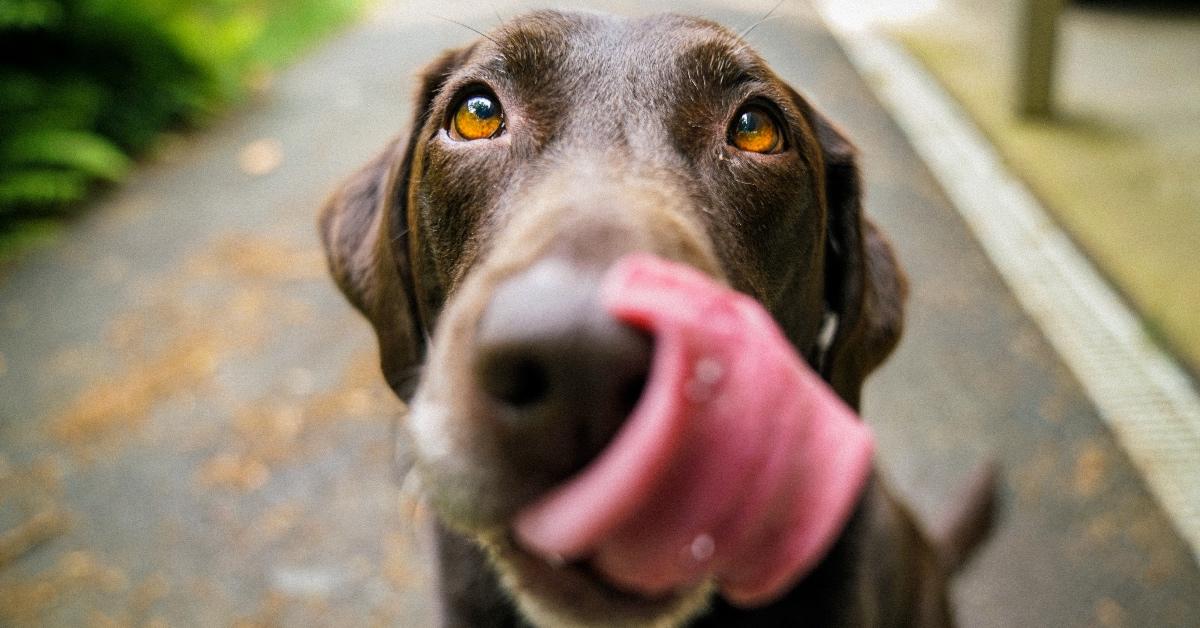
[{"x": 572, "y": 595}]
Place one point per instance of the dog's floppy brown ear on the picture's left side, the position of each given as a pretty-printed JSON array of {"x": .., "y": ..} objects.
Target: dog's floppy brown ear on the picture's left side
[{"x": 364, "y": 229}]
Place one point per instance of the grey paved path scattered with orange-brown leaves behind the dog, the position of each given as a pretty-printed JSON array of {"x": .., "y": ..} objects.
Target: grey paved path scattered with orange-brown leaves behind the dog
[{"x": 194, "y": 432}]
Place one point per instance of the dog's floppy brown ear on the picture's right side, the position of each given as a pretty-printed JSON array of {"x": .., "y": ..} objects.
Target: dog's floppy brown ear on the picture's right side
[{"x": 866, "y": 289}]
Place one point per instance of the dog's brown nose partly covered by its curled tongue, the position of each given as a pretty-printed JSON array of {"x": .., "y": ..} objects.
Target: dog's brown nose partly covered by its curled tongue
[{"x": 559, "y": 372}]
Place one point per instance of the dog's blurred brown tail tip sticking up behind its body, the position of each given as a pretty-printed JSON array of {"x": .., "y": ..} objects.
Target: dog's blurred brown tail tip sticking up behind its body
[{"x": 969, "y": 522}]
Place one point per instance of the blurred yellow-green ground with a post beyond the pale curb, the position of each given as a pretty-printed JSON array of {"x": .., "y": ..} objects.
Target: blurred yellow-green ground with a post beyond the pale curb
[{"x": 1103, "y": 125}]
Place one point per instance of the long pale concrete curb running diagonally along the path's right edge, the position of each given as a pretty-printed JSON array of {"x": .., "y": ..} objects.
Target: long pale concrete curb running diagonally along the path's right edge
[{"x": 1143, "y": 396}]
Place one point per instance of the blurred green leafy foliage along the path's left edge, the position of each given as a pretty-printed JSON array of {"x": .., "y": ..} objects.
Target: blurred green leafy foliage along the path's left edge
[{"x": 86, "y": 86}]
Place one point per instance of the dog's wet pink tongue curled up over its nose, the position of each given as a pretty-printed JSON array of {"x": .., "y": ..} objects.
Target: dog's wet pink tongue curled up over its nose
[{"x": 739, "y": 463}]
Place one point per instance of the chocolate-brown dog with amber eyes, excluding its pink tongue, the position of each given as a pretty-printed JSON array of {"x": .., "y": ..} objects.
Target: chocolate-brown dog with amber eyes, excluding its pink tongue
[{"x": 475, "y": 246}]
